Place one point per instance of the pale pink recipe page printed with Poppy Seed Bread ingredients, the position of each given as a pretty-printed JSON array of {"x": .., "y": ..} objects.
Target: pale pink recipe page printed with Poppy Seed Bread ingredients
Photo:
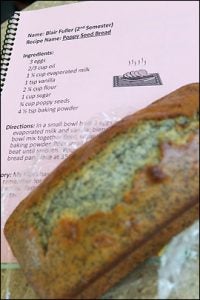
[{"x": 72, "y": 62}]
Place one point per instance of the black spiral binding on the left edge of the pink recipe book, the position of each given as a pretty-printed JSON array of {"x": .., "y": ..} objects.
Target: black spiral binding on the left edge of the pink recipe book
[{"x": 8, "y": 46}]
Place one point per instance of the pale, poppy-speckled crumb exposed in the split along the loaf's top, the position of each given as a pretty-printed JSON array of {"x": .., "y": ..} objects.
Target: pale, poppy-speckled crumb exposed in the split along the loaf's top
[{"x": 106, "y": 180}]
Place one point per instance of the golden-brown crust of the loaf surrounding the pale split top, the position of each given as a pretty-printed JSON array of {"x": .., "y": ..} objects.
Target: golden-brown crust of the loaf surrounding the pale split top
[{"x": 91, "y": 249}]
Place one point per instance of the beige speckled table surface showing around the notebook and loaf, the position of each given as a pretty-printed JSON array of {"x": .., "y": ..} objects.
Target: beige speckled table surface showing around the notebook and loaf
[{"x": 140, "y": 284}]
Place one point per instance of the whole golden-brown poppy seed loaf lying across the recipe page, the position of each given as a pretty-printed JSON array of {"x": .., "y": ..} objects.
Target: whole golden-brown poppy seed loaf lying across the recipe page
[{"x": 111, "y": 204}]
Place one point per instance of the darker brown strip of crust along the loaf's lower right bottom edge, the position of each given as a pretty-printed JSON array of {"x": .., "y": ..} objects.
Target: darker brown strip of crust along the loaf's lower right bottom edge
[{"x": 150, "y": 247}]
